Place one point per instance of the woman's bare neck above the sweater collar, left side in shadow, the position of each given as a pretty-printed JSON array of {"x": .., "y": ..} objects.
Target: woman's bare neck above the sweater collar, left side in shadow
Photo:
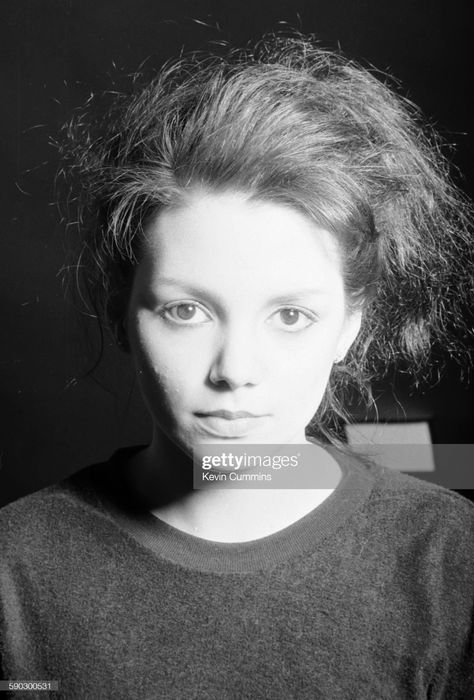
[{"x": 161, "y": 476}]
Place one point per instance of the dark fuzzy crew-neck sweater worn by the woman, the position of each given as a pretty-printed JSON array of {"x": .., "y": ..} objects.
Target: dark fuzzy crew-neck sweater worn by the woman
[{"x": 369, "y": 596}]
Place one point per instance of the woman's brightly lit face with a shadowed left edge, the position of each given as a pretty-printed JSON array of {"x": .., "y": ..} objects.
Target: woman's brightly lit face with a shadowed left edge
[{"x": 236, "y": 316}]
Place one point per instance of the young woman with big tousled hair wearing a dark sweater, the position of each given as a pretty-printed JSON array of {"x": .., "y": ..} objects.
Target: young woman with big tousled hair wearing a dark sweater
[{"x": 258, "y": 230}]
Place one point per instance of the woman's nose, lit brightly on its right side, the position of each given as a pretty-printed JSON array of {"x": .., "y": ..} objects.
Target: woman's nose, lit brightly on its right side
[{"x": 237, "y": 361}]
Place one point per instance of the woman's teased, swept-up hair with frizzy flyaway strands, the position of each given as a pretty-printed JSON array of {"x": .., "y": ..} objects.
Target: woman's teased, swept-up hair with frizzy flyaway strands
[{"x": 289, "y": 122}]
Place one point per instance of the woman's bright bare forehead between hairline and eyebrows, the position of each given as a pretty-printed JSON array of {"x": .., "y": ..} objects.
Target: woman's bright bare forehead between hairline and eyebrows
[{"x": 227, "y": 239}]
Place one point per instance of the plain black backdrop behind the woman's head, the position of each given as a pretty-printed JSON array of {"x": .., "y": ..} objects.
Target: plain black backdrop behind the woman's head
[{"x": 54, "y": 54}]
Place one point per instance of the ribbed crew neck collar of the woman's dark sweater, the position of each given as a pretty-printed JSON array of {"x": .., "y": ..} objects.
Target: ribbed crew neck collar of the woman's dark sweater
[{"x": 190, "y": 551}]
